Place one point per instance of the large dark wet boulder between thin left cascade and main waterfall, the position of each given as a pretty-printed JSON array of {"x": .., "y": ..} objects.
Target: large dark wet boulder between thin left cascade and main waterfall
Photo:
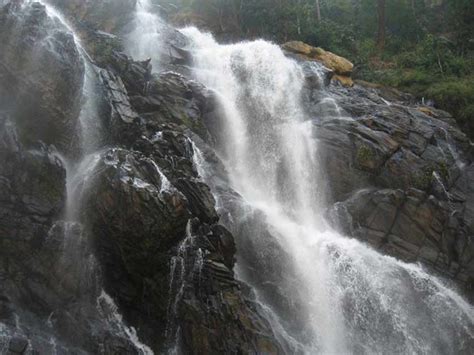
[{"x": 165, "y": 260}]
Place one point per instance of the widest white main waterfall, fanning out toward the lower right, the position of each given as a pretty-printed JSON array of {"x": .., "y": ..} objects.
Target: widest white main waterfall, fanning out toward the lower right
[{"x": 346, "y": 297}]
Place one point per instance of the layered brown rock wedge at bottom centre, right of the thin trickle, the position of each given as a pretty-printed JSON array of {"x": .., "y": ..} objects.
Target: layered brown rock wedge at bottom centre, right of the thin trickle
[{"x": 214, "y": 313}]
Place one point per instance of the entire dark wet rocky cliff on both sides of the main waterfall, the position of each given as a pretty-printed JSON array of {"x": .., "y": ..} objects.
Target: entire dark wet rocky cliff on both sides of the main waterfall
[{"x": 148, "y": 236}]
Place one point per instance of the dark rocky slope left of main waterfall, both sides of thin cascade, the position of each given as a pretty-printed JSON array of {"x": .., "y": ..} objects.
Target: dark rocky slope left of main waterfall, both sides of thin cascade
[{"x": 150, "y": 220}]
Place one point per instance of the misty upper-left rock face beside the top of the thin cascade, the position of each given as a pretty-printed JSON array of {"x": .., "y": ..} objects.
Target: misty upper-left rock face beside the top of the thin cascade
[{"x": 41, "y": 75}]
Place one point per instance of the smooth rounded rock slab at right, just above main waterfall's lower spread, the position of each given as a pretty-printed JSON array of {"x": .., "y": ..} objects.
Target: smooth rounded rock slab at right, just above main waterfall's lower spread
[{"x": 414, "y": 227}]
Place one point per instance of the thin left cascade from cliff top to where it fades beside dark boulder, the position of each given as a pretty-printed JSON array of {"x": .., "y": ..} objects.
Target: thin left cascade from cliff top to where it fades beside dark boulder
[{"x": 79, "y": 171}]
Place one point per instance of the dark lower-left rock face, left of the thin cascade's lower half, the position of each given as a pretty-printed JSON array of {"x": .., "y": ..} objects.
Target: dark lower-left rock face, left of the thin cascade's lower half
[{"x": 43, "y": 293}]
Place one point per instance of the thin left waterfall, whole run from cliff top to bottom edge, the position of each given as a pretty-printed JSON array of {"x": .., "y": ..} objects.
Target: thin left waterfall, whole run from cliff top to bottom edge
[{"x": 78, "y": 260}]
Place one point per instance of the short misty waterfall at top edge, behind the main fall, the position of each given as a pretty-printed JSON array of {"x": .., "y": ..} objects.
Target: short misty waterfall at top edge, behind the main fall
[{"x": 144, "y": 42}]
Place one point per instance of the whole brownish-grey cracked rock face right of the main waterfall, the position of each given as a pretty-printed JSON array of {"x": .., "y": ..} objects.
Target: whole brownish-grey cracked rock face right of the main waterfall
[{"x": 399, "y": 179}]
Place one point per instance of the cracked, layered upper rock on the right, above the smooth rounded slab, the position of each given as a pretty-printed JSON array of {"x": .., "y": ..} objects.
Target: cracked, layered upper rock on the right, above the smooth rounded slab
[{"x": 386, "y": 144}]
